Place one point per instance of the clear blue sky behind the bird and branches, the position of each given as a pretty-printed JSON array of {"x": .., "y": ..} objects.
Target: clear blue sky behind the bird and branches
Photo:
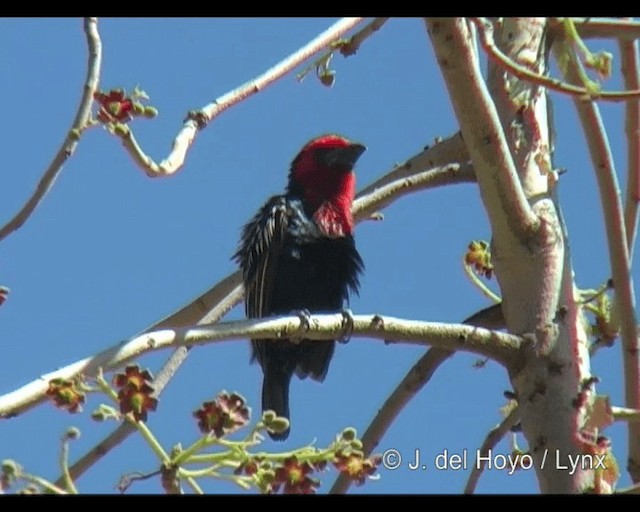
[{"x": 110, "y": 251}]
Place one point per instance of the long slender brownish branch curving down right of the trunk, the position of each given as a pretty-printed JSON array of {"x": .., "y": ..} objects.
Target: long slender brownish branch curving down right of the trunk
[{"x": 624, "y": 304}]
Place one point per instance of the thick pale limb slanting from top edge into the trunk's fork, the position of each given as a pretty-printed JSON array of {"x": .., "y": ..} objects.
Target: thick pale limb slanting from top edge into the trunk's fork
[{"x": 481, "y": 129}]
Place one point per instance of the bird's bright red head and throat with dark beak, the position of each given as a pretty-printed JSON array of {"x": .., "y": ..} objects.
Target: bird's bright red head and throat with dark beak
[{"x": 322, "y": 173}]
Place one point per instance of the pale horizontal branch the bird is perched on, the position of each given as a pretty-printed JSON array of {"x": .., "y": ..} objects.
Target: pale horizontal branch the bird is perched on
[{"x": 497, "y": 345}]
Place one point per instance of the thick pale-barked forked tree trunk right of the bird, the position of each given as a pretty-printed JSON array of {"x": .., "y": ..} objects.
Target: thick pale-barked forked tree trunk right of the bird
[{"x": 504, "y": 124}]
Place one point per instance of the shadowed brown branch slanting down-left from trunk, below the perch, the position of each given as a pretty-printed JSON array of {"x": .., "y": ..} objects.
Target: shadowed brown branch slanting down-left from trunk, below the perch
[{"x": 415, "y": 379}]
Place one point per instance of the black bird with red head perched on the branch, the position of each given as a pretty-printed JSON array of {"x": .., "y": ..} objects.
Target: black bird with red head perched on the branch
[{"x": 298, "y": 254}]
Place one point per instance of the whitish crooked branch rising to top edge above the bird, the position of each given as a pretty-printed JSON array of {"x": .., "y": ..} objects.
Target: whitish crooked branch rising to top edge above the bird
[{"x": 198, "y": 120}]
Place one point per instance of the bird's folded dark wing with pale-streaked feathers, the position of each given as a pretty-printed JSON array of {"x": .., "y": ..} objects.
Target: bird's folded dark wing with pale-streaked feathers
[{"x": 260, "y": 247}]
